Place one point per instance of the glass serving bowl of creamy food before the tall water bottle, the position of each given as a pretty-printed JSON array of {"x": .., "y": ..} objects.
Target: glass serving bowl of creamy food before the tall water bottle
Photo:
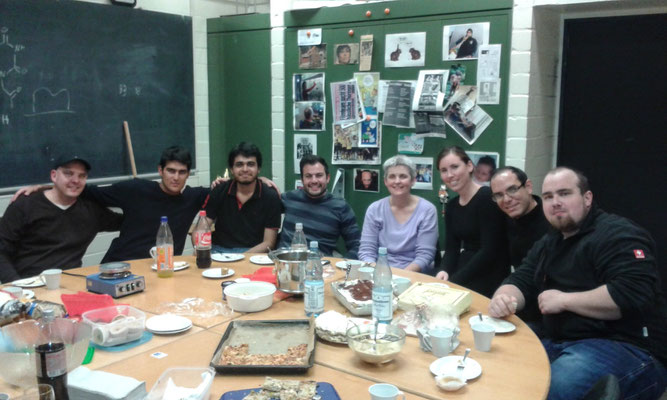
[{"x": 376, "y": 349}]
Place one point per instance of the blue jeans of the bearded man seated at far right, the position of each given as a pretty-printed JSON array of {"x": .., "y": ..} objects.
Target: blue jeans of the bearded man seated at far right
[{"x": 577, "y": 365}]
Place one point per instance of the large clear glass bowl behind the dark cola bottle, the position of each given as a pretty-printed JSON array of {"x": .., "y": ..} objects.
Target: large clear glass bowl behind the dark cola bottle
[{"x": 17, "y": 342}]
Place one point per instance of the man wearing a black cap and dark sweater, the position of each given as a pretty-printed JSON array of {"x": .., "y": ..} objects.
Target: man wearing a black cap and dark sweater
[{"x": 52, "y": 228}]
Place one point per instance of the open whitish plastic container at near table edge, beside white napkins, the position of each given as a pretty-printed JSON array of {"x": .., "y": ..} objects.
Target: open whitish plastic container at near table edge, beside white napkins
[{"x": 183, "y": 383}]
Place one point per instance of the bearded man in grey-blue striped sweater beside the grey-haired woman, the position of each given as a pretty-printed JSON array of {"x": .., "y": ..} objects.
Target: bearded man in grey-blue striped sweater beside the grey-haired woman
[{"x": 325, "y": 218}]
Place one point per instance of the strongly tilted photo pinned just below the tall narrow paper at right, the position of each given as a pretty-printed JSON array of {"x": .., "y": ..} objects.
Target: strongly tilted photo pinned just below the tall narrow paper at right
[{"x": 466, "y": 118}]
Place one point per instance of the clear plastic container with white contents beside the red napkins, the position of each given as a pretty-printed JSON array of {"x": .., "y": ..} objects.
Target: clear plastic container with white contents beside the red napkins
[{"x": 115, "y": 325}]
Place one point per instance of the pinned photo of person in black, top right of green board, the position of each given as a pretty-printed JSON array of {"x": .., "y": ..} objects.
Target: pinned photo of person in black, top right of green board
[{"x": 463, "y": 41}]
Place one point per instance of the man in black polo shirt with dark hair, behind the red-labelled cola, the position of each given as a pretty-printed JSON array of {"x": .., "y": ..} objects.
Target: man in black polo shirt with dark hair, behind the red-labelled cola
[{"x": 245, "y": 210}]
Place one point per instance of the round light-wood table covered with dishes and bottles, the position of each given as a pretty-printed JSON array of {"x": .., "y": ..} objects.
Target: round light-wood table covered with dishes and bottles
[{"x": 516, "y": 367}]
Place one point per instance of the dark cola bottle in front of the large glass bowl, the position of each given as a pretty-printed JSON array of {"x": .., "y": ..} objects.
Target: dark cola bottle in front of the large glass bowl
[{"x": 50, "y": 356}]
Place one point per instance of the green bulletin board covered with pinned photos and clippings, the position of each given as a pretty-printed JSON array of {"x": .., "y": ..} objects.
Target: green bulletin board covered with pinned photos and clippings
[{"x": 404, "y": 17}]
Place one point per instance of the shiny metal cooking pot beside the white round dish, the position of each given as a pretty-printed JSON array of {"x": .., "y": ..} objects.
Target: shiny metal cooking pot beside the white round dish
[{"x": 290, "y": 268}]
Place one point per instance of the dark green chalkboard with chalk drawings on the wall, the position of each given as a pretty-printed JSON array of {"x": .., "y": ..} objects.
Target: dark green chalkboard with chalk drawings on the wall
[{"x": 72, "y": 72}]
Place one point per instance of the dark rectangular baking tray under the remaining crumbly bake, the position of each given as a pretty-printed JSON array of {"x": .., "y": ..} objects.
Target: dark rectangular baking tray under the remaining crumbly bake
[{"x": 267, "y": 337}]
